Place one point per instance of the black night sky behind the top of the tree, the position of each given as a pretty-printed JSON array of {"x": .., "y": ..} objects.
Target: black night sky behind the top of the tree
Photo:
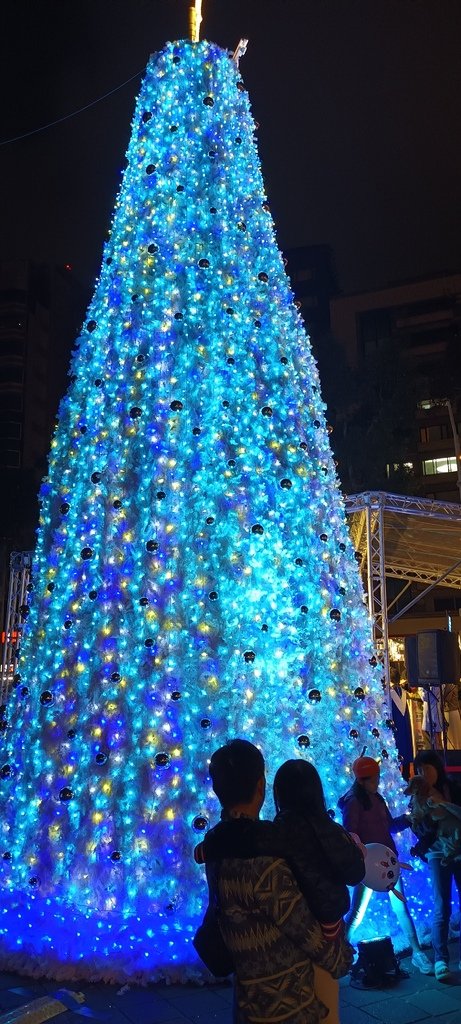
[{"x": 359, "y": 104}]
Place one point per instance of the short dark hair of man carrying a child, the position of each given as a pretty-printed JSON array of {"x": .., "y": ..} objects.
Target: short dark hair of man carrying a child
[{"x": 235, "y": 772}]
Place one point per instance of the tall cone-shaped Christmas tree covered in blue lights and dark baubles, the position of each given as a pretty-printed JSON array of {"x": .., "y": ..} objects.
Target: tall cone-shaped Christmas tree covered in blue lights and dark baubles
[{"x": 194, "y": 578}]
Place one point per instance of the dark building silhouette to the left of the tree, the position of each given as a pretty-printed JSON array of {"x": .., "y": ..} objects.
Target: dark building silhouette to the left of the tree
[{"x": 41, "y": 308}]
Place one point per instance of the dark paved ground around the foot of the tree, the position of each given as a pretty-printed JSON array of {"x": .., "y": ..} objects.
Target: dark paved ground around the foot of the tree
[{"x": 410, "y": 1001}]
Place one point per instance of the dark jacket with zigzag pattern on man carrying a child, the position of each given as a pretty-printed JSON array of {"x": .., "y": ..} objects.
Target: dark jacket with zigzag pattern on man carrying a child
[{"x": 269, "y": 929}]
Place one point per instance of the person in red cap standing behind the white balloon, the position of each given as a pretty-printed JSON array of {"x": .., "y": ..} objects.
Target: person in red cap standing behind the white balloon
[{"x": 366, "y": 814}]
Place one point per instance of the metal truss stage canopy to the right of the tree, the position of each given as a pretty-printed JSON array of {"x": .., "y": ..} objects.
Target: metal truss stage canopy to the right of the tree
[{"x": 411, "y": 539}]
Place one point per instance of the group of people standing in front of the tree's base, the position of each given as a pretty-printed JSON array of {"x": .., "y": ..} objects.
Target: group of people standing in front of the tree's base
[{"x": 280, "y": 890}]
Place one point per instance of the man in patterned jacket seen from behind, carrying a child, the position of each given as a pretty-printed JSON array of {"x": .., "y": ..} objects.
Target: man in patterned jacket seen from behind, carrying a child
[{"x": 267, "y": 925}]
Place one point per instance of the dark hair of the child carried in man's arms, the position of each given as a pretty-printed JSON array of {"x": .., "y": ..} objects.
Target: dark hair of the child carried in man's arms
[{"x": 298, "y": 787}]
